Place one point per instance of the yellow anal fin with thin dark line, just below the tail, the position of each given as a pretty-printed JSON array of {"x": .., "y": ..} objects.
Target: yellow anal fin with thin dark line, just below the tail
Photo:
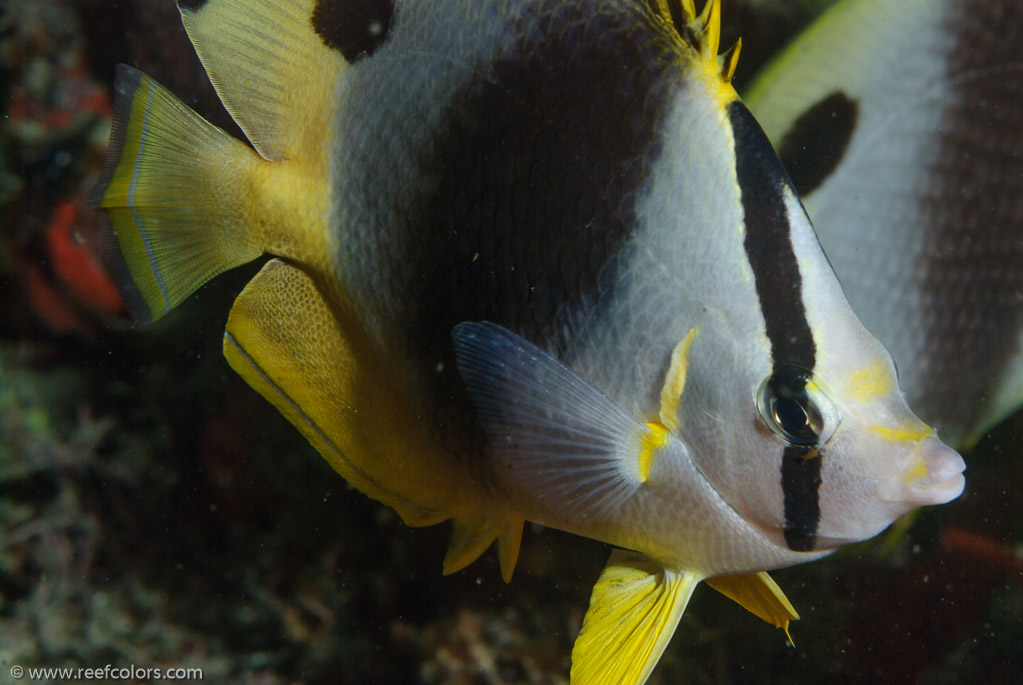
[{"x": 284, "y": 339}]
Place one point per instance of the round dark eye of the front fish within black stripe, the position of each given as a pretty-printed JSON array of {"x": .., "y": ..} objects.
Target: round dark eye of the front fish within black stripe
[{"x": 796, "y": 409}]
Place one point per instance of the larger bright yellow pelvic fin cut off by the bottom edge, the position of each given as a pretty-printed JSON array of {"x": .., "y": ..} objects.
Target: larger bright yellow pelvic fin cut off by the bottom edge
[{"x": 634, "y": 612}]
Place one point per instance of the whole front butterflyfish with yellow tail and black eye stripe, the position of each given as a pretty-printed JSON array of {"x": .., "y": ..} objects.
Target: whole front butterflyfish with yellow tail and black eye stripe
[{"x": 530, "y": 261}]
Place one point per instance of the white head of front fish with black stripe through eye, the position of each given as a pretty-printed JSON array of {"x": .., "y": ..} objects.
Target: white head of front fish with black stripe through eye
[{"x": 815, "y": 455}]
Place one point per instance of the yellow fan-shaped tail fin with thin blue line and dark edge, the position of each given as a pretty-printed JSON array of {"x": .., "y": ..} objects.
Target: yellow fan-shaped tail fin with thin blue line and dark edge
[{"x": 171, "y": 194}]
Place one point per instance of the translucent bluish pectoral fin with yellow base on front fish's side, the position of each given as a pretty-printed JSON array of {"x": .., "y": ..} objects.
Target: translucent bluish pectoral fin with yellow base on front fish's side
[{"x": 568, "y": 445}]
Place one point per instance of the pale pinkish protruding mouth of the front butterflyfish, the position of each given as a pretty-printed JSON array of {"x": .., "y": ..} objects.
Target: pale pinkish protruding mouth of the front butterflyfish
[{"x": 935, "y": 477}]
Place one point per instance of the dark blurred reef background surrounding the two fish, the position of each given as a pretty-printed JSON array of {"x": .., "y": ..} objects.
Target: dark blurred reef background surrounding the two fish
[{"x": 155, "y": 512}]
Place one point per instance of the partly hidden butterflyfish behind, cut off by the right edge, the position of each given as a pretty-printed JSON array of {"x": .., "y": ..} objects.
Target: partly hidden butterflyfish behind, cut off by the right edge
[{"x": 902, "y": 126}]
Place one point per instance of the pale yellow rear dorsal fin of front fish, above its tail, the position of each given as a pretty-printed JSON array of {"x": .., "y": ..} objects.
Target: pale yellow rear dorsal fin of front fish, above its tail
[{"x": 274, "y": 73}]
